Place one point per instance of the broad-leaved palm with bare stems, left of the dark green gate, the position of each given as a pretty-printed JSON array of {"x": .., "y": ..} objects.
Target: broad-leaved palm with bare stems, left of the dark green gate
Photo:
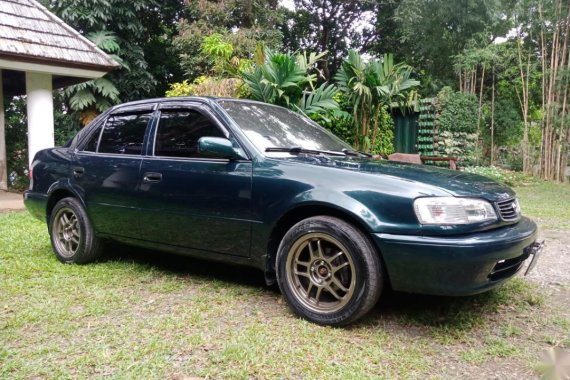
[{"x": 370, "y": 87}]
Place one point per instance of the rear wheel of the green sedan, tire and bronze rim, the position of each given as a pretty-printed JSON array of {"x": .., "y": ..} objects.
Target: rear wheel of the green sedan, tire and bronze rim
[{"x": 71, "y": 234}]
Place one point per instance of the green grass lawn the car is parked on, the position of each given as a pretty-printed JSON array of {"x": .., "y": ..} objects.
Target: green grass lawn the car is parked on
[{"x": 149, "y": 315}]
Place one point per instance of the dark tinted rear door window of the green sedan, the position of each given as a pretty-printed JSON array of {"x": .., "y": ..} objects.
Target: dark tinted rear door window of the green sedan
[{"x": 124, "y": 134}]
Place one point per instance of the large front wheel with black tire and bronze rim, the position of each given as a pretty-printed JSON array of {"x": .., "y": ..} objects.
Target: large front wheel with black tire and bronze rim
[{"x": 329, "y": 271}]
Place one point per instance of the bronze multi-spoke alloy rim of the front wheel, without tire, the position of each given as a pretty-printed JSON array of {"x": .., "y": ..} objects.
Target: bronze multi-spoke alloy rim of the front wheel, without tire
[{"x": 321, "y": 272}]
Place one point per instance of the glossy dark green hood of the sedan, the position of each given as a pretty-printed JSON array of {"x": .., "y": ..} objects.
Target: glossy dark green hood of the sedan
[{"x": 455, "y": 182}]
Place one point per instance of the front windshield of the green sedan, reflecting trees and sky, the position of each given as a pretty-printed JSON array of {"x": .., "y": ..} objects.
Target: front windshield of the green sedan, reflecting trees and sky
[{"x": 268, "y": 126}]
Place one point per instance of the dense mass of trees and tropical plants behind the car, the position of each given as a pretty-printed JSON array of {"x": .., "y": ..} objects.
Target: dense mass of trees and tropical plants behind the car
[{"x": 512, "y": 56}]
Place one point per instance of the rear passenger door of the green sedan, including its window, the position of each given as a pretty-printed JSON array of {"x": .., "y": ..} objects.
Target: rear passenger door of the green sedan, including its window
[{"x": 106, "y": 170}]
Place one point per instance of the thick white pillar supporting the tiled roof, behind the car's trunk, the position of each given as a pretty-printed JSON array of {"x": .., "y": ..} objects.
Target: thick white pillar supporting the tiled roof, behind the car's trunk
[{"x": 40, "y": 112}]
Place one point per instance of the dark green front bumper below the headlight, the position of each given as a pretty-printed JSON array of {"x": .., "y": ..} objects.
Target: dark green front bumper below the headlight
[{"x": 460, "y": 265}]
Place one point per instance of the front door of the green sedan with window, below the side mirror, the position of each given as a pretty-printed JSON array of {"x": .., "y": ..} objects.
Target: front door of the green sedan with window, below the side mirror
[{"x": 190, "y": 200}]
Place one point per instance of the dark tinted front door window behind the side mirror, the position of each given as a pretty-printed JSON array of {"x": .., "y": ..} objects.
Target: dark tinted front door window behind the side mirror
[{"x": 179, "y": 131}]
